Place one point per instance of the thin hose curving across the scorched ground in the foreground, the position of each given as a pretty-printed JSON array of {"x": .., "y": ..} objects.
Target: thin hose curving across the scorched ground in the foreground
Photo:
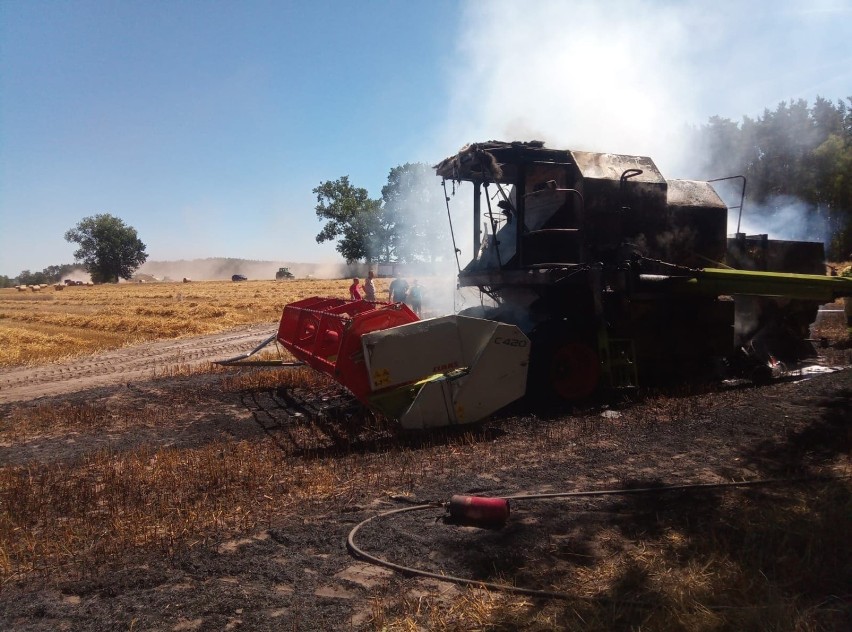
[{"x": 357, "y": 552}]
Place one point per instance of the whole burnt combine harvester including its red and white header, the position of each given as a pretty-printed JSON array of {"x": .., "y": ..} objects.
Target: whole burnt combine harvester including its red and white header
[{"x": 602, "y": 274}]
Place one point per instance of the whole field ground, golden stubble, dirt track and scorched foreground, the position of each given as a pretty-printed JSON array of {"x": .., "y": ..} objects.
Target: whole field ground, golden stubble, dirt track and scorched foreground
[{"x": 175, "y": 495}]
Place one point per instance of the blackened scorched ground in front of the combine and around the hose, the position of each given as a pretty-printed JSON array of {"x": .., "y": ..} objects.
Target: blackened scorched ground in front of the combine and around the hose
[{"x": 294, "y": 572}]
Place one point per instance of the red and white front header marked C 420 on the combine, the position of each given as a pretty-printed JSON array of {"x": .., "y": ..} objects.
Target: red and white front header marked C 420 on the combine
[{"x": 425, "y": 373}]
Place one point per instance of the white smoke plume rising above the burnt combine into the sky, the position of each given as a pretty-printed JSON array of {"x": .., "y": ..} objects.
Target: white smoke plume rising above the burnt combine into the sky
[{"x": 632, "y": 77}]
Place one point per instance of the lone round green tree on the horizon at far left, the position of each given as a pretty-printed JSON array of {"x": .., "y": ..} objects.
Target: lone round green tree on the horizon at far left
[{"x": 108, "y": 248}]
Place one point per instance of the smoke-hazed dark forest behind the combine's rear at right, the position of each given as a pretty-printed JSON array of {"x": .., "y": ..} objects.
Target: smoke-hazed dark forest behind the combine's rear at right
[{"x": 797, "y": 155}]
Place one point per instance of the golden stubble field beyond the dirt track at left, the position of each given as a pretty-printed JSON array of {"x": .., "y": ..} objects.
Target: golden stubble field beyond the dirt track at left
[{"x": 44, "y": 326}]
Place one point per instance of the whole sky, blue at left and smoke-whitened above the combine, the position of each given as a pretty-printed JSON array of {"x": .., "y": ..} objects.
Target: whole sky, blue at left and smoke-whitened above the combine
[{"x": 205, "y": 125}]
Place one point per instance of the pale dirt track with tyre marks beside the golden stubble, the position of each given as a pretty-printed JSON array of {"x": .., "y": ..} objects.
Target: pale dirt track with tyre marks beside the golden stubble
[{"x": 127, "y": 364}]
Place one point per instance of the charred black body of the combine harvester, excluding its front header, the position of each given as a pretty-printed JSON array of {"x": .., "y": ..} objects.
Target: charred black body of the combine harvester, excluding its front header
[{"x": 617, "y": 274}]
